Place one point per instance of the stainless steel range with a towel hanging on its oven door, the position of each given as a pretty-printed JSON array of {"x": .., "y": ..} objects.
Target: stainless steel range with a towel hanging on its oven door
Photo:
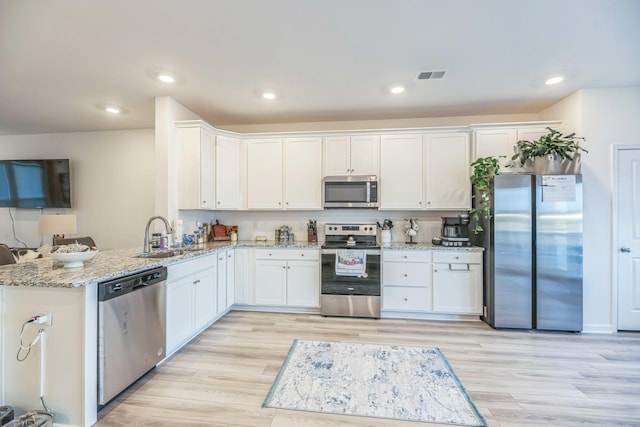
[{"x": 350, "y": 295}]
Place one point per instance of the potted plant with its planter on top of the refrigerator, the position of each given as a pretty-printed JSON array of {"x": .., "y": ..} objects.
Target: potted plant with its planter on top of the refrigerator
[{"x": 552, "y": 153}]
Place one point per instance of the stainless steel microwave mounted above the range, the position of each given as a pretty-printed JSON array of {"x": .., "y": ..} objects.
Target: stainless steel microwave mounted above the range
[{"x": 350, "y": 191}]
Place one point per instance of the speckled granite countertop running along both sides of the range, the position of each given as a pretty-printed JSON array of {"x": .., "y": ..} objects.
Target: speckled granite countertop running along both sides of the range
[{"x": 111, "y": 264}]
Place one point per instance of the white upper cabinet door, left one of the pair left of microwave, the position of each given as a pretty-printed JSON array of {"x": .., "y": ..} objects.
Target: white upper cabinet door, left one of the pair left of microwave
[{"x": 264, "y": 174}]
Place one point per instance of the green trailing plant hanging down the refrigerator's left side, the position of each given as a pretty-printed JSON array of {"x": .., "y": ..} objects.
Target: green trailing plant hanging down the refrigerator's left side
[{"x": 484, "y": 169}]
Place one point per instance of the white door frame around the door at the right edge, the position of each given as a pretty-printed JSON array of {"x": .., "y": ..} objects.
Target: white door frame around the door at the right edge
[{"x": 616, "y": 149}]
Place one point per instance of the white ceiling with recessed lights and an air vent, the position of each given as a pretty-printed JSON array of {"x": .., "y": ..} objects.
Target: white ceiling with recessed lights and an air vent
[{"x": 329, "y": 59}]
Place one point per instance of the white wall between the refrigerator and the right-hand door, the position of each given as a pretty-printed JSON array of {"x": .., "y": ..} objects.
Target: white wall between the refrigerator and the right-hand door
[{"x": 604, "y": 117}]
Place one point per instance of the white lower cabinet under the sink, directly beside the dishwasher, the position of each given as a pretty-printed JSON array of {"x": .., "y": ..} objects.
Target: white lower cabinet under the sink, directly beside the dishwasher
[{"x": 191, "y": 299}]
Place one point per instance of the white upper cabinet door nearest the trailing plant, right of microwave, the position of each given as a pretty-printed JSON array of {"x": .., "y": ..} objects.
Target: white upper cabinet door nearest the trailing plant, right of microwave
[{"x": 447, "y": 160}]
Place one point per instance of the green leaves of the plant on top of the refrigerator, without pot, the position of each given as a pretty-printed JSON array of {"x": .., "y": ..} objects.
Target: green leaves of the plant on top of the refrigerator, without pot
[{"x": 552, "y": 143}]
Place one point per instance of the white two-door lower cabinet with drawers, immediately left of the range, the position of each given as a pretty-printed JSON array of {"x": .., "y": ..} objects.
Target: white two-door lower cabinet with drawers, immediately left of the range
[{"x": 286, "y": 277}]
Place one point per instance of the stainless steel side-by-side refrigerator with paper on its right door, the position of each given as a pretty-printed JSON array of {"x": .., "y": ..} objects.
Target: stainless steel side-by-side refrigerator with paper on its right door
[{"x": 533, "y": 252}]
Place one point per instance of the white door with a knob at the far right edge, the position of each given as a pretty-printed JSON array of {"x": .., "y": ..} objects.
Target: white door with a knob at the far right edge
[{"x": 628, "y": 238}]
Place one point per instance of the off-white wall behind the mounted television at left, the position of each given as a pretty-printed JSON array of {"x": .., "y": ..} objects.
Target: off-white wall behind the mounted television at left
[{"x": 112, "y": 181}]
